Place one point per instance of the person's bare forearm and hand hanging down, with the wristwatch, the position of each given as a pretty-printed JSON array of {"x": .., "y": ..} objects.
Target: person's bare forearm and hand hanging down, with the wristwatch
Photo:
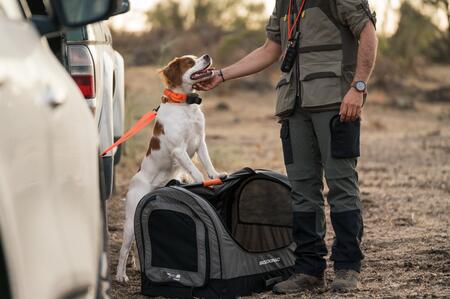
[{"x": 353, "y": 101}]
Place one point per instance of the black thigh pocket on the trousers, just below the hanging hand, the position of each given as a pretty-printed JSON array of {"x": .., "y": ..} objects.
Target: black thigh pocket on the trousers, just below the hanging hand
[{"x": 345, "y": 138}]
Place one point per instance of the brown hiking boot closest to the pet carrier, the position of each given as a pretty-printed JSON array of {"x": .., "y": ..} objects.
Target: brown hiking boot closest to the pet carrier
[{"x": 299, "y": 282}]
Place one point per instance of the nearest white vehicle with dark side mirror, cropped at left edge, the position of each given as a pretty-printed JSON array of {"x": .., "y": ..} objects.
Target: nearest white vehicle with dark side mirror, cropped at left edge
[{"x": 51, "y": 225}]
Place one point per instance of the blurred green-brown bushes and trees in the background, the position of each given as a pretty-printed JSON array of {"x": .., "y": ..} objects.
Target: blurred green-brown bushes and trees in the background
[{"x": 229, "y": 29}]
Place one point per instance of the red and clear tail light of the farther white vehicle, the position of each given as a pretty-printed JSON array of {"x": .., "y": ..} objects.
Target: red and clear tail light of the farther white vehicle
[{"x": 82, "y": 69}]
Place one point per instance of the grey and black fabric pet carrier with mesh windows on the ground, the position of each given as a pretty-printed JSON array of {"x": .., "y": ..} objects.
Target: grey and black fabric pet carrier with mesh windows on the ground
[{"x": 221, "y": 241}]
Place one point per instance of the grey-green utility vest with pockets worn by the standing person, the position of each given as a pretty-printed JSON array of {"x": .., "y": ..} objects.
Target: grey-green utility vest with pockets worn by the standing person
[{"x": 327, "y": 58}]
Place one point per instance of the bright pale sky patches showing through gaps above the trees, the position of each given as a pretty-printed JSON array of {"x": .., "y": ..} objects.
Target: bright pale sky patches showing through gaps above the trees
[{"x": 135, "y": 20}]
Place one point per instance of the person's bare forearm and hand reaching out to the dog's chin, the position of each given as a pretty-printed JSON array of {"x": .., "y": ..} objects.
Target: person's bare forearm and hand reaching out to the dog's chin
[{"x": 254, "y": 62}]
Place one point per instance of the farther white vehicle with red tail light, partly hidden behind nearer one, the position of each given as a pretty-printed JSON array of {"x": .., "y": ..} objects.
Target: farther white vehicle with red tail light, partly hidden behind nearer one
[{"x": 88, "y": 55}]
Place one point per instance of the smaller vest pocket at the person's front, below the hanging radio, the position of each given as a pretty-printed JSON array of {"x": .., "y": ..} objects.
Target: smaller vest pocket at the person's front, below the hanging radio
[{"x": 286, "y": 96}]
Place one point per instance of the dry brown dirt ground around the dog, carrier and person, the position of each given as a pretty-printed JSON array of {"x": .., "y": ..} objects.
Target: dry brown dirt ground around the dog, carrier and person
[{"x": 404, "y": 175}]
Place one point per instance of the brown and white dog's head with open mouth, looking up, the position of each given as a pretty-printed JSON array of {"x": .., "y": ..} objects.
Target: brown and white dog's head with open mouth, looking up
[{"x": 187, "y": 70}]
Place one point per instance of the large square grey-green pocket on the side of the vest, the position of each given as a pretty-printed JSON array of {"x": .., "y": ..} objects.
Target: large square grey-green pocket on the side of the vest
[{"x": 321, "y": 84}]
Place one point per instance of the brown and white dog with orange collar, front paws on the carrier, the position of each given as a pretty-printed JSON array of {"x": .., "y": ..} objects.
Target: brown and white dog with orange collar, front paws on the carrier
[{"x": 178, "y": 134}]
